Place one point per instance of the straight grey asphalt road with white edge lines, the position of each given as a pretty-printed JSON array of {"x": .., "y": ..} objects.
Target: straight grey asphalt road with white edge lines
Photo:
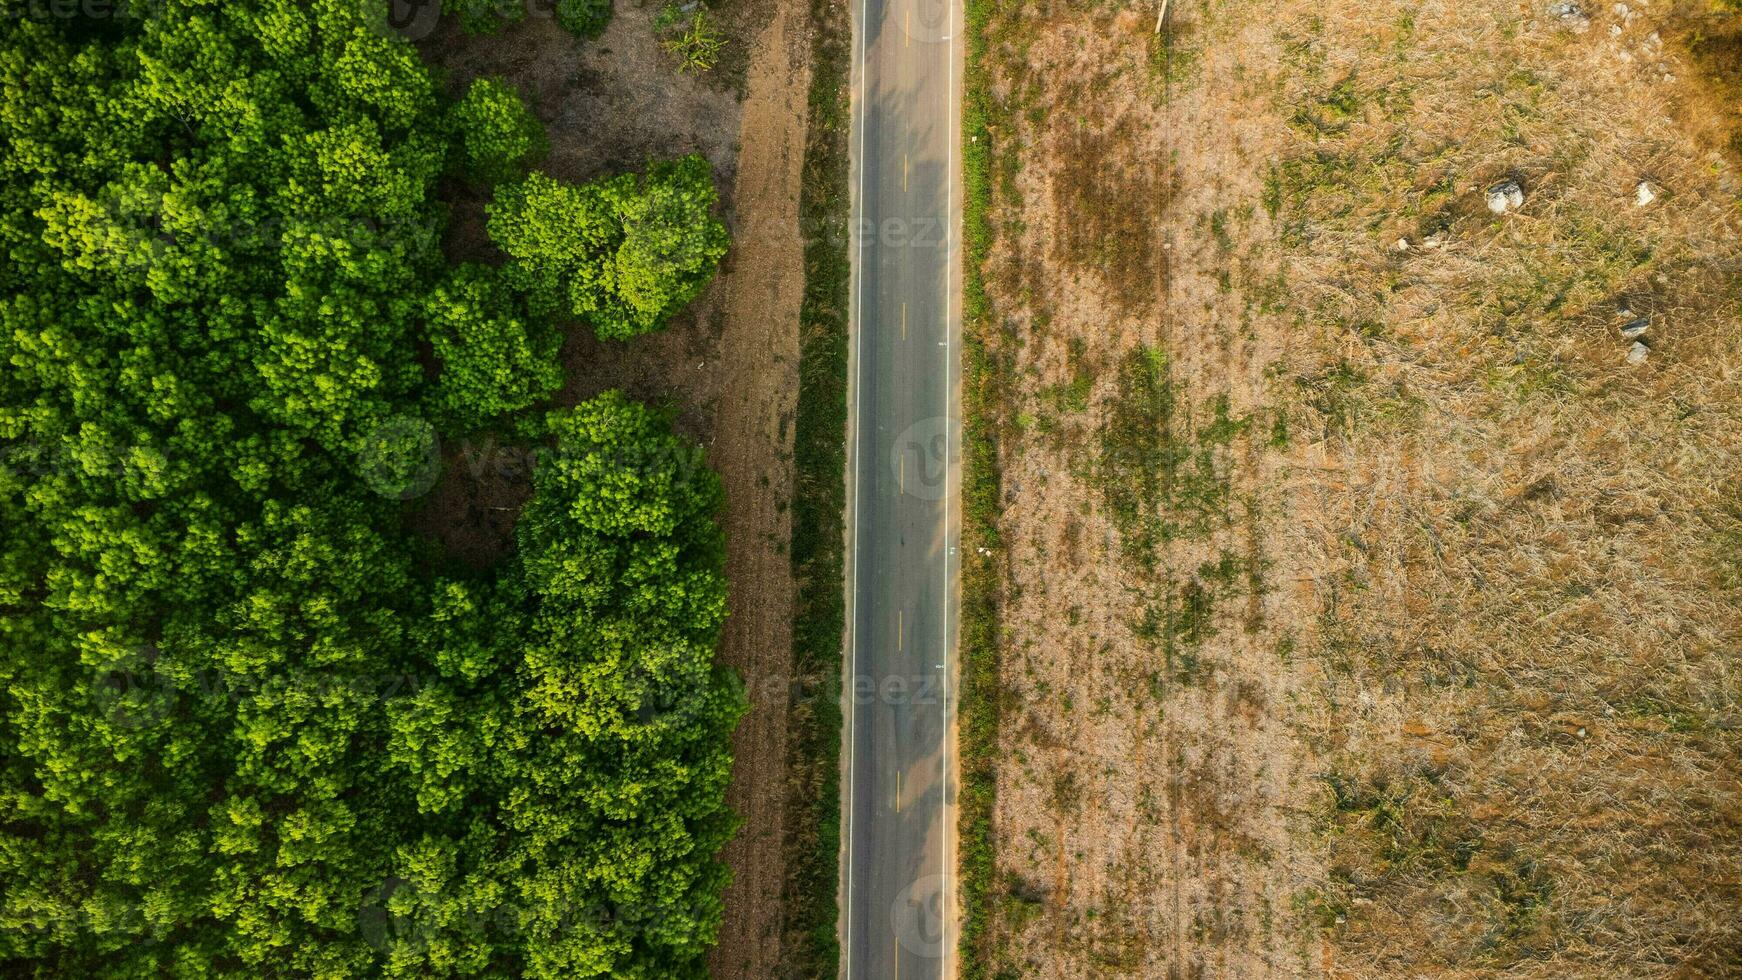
[{"x": 898, "y": 920}]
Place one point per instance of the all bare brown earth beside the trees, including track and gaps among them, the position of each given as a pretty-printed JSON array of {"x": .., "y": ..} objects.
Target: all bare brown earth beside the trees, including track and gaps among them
[{"x": 729, "y": 365}]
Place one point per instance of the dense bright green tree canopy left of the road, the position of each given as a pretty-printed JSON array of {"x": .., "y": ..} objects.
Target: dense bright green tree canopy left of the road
[{"x": 252, "y": 725}]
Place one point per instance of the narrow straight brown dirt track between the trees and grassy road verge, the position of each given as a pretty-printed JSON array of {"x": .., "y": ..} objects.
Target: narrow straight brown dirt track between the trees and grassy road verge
[{"x": 753, "y": 452}]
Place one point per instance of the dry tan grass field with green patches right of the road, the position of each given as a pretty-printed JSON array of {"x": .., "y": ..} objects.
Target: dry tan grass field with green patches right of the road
[{"x": 1368, "y": 605}]
